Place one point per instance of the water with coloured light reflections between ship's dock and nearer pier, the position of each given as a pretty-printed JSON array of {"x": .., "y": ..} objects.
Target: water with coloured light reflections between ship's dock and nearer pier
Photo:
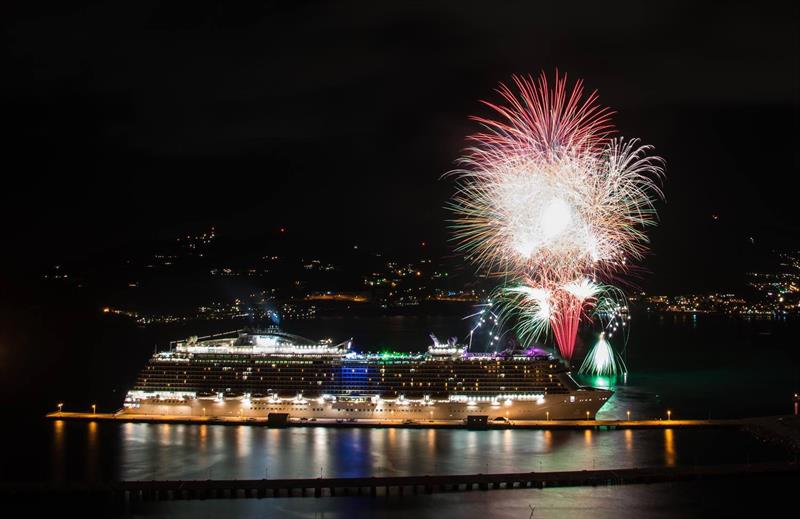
[{"x": 169, "y": 451}]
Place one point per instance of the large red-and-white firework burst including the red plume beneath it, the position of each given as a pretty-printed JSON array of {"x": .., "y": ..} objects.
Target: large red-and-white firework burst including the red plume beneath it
[{"x": 546, "y": 195}]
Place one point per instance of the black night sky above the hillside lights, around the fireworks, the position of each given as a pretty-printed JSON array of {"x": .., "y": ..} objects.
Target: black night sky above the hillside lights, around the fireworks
[{"x": 137, "y": 120}]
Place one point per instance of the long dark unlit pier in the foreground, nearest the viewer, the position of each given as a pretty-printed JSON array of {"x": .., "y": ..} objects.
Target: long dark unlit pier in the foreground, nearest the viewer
[{"x": 137, "y": 491}]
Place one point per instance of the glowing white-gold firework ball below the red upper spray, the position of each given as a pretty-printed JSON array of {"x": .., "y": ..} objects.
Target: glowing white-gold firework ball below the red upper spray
[{"x": 581, "y": 214}]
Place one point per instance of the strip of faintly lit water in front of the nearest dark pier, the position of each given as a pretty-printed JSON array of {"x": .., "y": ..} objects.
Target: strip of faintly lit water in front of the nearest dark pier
[{"x": 700, "y": 499}]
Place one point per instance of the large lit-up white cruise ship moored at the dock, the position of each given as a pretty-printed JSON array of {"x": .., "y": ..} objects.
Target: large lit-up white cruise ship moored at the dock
[{"x": 255, "y": 374}]
